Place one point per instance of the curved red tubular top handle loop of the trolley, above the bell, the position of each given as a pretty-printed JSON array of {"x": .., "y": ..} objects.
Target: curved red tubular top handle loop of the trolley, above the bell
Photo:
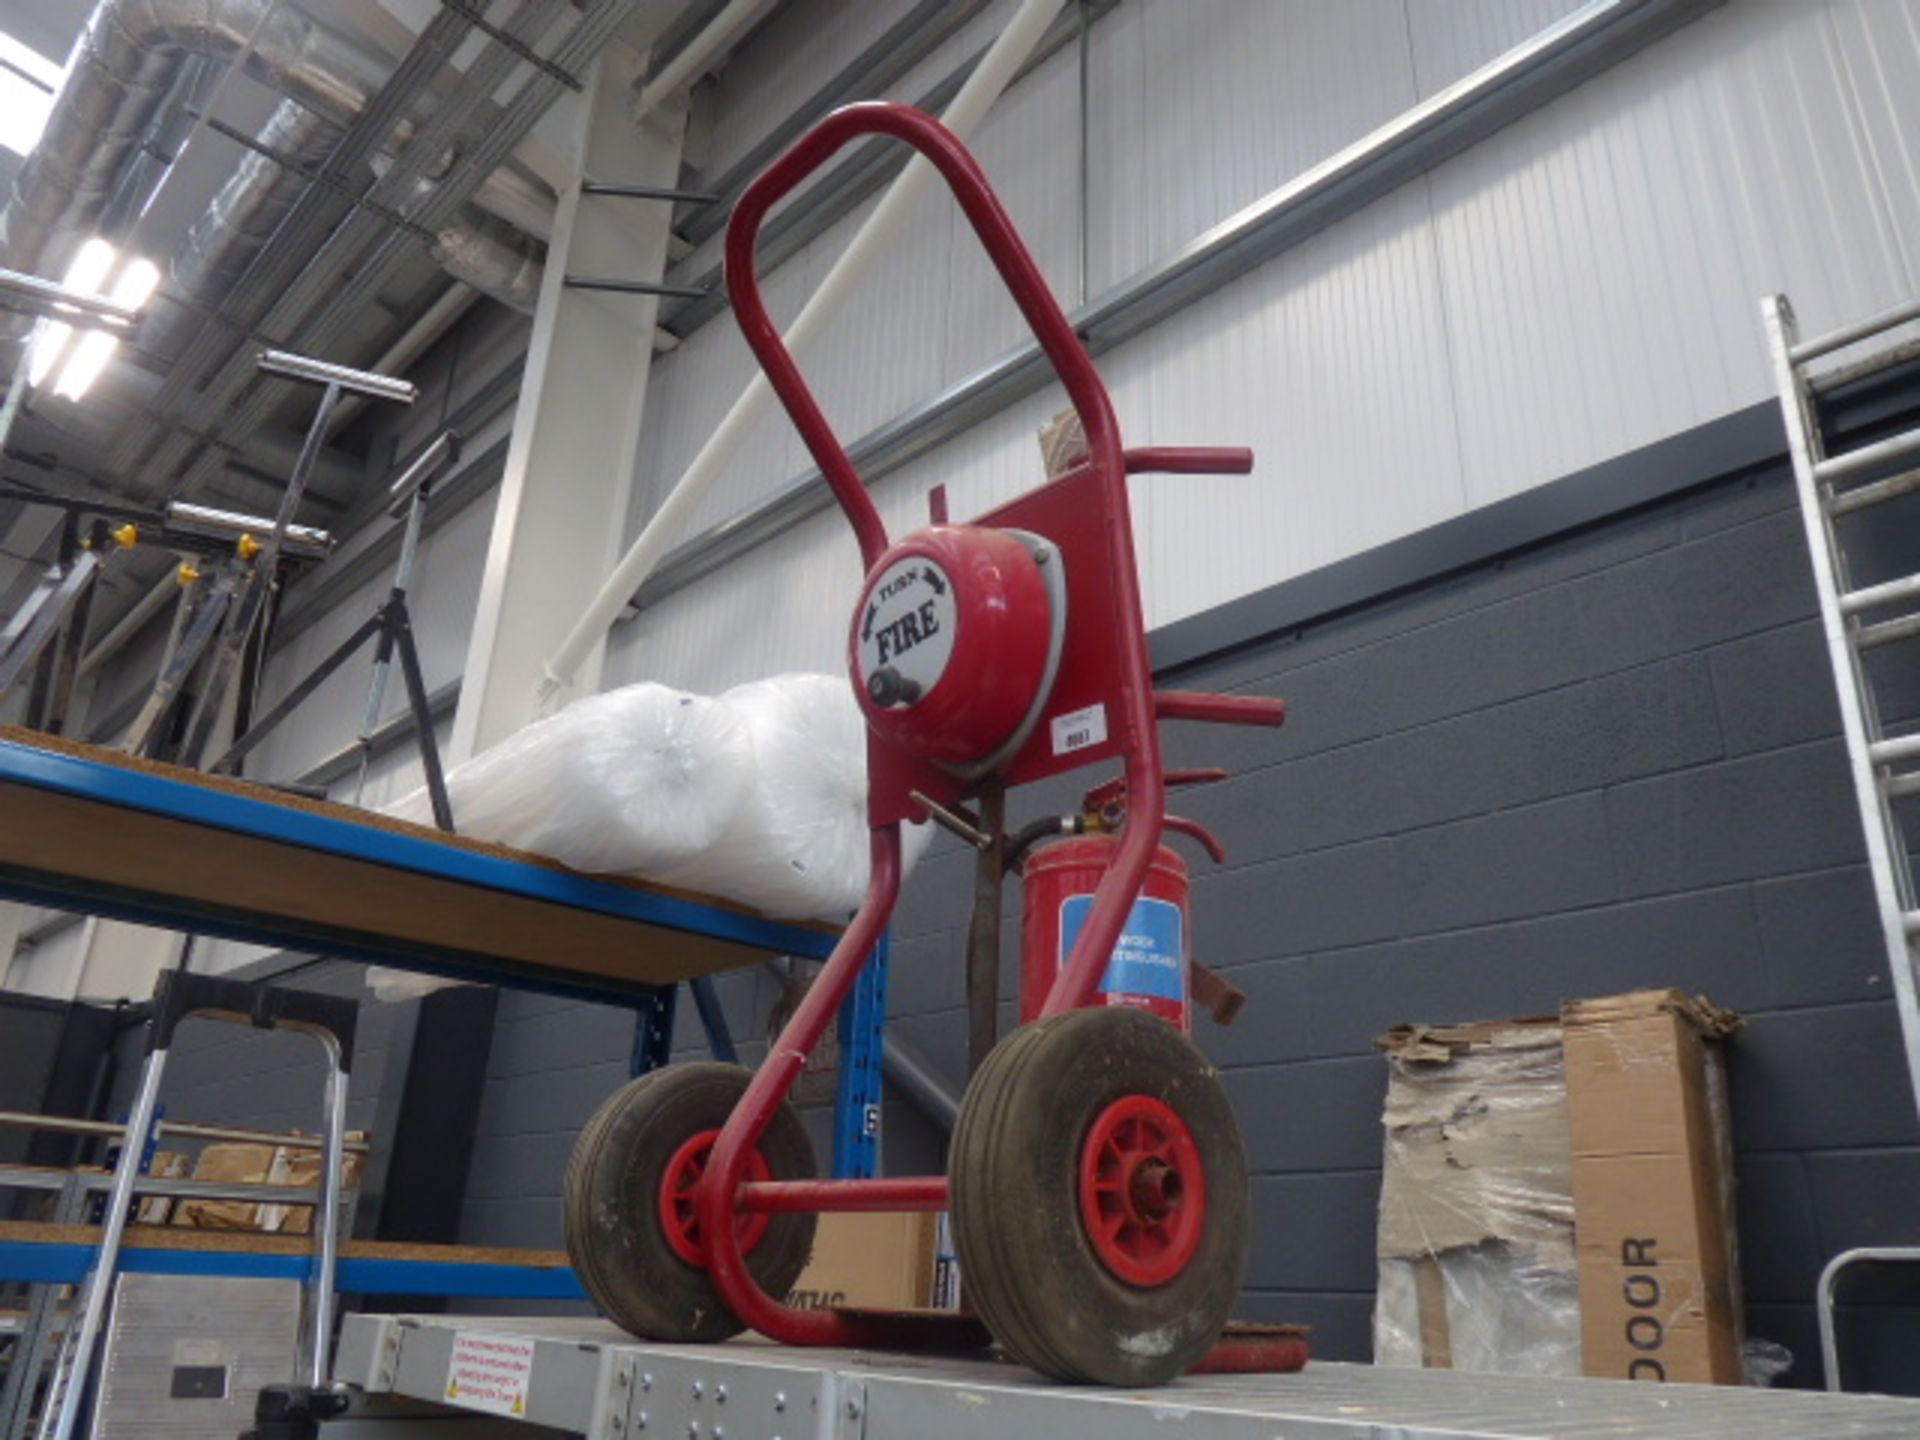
[{"x": 1005, "y": 249}]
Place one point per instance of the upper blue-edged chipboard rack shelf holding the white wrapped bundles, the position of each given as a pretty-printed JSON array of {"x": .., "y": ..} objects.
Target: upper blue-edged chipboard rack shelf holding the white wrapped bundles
[{"x": 84, "y": 828}]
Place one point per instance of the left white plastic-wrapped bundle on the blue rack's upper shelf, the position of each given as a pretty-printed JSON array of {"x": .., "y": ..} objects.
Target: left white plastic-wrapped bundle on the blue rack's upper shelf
[{"x": 631, "y": 782}]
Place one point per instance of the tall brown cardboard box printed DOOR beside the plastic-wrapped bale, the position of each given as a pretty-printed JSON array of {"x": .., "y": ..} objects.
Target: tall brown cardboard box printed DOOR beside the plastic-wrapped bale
[{"x": 1654, "y": 1188}]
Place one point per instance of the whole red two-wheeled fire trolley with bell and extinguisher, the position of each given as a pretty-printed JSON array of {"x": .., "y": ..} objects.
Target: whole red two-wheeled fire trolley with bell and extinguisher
[{"x": 1097, "y": 1182}]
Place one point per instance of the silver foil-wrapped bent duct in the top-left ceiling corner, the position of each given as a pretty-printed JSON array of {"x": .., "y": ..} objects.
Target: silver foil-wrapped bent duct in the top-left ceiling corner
[{"x": 122, "y": 72}]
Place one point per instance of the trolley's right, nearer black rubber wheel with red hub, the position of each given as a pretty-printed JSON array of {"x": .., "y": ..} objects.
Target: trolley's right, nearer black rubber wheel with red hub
[{"x": 1099, "y": 1199}]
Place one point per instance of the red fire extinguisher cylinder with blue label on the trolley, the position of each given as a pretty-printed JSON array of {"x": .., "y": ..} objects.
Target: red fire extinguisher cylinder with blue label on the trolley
[{"x": 1149, "y": 967}]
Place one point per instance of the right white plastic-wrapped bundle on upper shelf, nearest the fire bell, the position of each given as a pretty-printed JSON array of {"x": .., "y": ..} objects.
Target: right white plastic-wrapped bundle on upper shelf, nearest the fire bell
[{"x": 800, "y": 846}]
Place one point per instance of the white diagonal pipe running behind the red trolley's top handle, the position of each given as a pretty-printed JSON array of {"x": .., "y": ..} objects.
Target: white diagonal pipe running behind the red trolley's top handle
[{"x": 994, "y": 74}]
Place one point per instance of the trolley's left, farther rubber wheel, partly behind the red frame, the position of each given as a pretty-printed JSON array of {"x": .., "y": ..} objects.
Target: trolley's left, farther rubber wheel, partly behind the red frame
[{"x": 633, "y": 1236}]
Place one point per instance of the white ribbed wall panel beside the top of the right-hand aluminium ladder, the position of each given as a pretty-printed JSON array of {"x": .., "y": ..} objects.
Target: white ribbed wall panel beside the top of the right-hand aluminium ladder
[{"x": 1602, "y": 262}]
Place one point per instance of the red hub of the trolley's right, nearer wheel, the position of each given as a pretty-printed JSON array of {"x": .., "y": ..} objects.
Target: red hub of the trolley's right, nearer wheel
[{"x": 1143, "y": 1191}]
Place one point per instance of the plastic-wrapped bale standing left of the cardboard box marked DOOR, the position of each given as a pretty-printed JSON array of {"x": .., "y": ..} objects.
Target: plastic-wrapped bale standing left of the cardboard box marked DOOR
[{"x": 1477, "y": 1220}]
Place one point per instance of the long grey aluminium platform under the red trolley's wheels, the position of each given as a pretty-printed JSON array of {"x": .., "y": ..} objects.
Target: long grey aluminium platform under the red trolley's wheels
[{"x": 590, "y": 1380}]
